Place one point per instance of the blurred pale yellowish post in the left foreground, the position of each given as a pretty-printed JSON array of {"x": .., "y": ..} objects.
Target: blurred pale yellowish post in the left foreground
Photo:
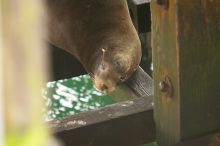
[{"x": 24, "y": 72}]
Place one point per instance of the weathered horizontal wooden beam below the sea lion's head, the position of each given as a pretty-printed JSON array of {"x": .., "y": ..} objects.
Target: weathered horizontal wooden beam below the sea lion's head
[{"x": 128, "y": 123}]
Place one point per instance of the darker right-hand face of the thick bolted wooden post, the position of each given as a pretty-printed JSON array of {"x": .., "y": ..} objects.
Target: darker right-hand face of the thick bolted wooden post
[{"x": 199, "y": 61}]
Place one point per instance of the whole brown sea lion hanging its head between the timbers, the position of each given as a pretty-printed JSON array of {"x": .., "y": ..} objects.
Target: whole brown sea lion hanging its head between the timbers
[{"x": 100, "y": 34}]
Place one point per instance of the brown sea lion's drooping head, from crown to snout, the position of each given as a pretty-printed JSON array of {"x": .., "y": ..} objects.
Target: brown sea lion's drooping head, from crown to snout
[{"x": 116, "y": 65}]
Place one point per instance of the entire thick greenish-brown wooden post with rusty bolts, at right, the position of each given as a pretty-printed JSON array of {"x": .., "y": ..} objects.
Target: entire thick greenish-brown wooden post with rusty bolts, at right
[{"x": 186, "y": 49}]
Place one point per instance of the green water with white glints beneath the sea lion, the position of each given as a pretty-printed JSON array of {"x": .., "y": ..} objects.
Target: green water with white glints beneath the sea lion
[{"x": 71, "y": 96}]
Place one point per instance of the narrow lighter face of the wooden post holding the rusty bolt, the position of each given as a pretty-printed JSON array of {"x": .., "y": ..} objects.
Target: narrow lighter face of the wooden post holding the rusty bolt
[{"x": 165, "y": 61}]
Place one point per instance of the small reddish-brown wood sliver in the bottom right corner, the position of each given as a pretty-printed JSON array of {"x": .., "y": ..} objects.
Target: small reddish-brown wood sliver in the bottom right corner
[{"x": 210, "y": 140}]
